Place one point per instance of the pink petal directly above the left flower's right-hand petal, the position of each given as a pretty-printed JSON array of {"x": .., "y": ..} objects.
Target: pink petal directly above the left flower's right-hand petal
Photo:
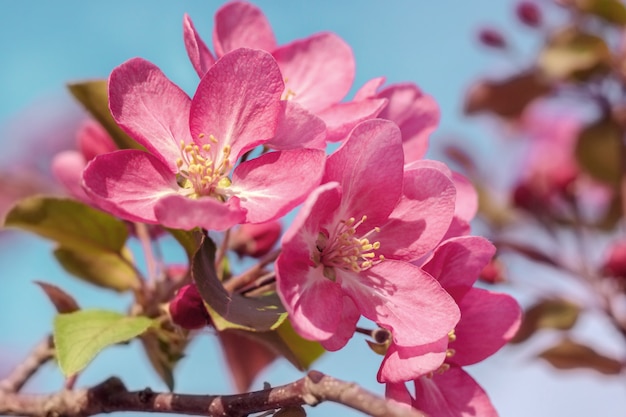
[{"x": 298, "y": 128}]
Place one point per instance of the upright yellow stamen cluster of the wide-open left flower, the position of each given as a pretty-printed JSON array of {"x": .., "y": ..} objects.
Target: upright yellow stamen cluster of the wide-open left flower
[{"x": 200, "y": 175}]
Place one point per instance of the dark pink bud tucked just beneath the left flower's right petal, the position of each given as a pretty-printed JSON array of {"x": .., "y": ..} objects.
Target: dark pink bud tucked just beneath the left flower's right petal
[{"x": 255, "y": 239}]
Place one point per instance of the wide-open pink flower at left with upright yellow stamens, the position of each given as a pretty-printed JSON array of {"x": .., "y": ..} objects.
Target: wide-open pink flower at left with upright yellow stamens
[{"x": 186, "y": 179}]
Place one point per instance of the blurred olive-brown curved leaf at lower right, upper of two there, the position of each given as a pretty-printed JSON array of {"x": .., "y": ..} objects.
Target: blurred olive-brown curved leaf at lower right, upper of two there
[{"x": 552, "y": 314}]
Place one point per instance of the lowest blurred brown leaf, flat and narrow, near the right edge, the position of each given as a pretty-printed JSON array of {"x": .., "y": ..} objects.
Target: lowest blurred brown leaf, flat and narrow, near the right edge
[{"x": 571, "y": 355}]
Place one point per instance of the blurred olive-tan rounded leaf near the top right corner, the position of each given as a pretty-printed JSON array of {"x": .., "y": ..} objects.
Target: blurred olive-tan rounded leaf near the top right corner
[{"x": 574, "y": 55}]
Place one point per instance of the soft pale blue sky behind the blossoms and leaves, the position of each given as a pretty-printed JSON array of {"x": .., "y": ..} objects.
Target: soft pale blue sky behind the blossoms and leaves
[{"x": 43, "y": 45}]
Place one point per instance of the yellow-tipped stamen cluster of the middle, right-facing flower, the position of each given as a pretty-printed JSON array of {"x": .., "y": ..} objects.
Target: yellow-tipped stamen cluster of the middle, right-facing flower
[{"x": 344, "y": 248}]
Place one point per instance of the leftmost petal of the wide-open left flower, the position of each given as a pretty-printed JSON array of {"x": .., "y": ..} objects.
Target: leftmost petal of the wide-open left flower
[{"x": 129, "y": 183}]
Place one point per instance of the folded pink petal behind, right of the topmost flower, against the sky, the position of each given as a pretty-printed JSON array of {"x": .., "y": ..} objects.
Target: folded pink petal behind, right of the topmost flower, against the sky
[{"x": 416, "y": 113}]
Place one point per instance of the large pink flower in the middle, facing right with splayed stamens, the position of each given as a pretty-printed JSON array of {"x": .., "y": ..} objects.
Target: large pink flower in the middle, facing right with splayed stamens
[{"x": 344, "y": 255}]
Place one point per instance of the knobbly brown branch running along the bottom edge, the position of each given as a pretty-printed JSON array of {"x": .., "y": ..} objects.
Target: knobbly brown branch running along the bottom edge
[{"x": 112, "y": 395}]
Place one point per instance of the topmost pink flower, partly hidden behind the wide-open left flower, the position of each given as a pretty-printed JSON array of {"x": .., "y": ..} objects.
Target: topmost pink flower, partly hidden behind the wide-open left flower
[{"x": 318, "y": 71}]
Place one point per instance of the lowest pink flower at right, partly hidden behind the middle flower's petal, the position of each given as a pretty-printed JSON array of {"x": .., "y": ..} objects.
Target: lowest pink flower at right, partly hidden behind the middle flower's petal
[{"x": 488, "y": 321}]
